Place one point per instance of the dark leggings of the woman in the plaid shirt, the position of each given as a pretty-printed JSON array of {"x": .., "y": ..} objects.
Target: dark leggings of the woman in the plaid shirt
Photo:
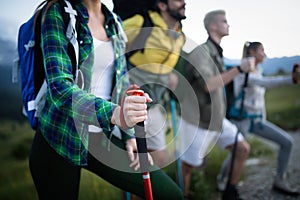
[{"x": 55, "y": 178}]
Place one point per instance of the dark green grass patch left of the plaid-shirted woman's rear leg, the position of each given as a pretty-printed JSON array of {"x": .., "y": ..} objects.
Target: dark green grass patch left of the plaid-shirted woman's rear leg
[{"x": 15, "y": 179}]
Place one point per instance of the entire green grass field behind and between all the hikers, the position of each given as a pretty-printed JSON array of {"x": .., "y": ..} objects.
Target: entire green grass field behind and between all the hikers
[{"x": 283, "y": 108}]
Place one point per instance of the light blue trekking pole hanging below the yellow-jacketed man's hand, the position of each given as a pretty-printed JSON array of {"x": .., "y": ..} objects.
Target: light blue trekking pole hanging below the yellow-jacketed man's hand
[{"x": 178, "y": 162}]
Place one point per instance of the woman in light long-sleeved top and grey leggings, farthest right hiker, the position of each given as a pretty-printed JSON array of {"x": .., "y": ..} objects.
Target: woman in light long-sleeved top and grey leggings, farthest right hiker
[{"x": 254, "y": 120}]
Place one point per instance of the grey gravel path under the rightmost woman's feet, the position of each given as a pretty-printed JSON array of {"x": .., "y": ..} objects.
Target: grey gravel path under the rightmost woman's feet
[{"x": 259, "y": 178}]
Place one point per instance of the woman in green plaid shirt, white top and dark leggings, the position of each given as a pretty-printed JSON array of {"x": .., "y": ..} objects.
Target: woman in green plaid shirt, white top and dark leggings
[{"x": 62, "y": 146}]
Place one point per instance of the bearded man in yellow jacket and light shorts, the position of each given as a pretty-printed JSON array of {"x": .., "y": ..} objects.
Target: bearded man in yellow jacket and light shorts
[{"x": 151, "y": 61}]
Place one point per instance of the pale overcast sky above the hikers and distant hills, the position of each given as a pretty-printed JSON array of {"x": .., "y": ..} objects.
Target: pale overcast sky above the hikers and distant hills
[{"x": 275, "y": 23}]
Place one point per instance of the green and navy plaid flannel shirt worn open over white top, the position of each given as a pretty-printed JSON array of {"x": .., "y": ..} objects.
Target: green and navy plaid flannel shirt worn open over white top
[{"x": 68, "y": 110}]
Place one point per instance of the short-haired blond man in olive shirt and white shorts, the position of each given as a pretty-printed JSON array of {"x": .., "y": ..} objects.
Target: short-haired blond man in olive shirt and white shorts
[{"x": 207, "y": 77}]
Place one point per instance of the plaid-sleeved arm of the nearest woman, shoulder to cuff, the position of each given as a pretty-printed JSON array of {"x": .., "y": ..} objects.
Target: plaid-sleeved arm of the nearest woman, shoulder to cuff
[{"x": 63, "y": 93}]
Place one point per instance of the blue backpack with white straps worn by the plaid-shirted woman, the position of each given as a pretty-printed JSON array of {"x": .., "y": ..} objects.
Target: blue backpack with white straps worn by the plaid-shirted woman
[{"x": 30, "y": 61}]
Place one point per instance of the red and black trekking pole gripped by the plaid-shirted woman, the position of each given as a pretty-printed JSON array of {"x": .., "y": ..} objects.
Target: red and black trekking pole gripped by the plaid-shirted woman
[{"x": 142, "y": 151}]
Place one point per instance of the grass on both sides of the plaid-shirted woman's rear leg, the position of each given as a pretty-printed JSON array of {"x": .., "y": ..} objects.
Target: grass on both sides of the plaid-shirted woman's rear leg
[{"x": 15, "y": 178}]
